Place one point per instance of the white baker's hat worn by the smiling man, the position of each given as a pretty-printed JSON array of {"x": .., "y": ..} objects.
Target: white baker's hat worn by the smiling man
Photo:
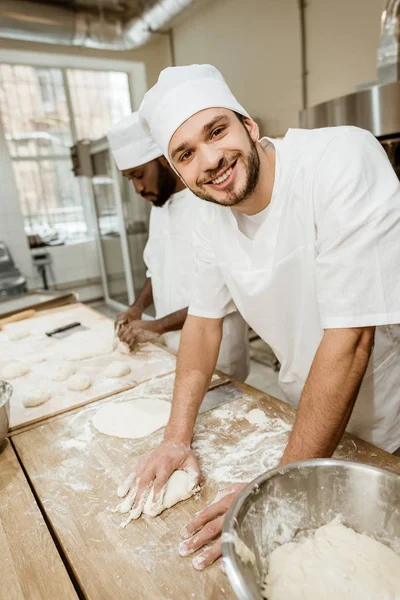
[{"x": 180, "y": 93}]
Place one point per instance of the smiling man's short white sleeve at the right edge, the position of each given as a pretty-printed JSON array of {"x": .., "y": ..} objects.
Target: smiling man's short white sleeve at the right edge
[{"x": 356, "y": 198}]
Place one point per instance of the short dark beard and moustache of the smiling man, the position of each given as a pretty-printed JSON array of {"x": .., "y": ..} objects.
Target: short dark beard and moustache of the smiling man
[{"x": 251, "y": 162}]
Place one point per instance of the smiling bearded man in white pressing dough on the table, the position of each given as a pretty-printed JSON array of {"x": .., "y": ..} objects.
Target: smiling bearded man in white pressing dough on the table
[{"x": 302, "y": 234}]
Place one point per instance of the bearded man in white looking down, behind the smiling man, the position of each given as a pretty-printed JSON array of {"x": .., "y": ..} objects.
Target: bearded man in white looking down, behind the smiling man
[{"x": 169, "y": 252}]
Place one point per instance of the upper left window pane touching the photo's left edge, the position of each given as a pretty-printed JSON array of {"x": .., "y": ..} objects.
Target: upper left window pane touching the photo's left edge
[{"x": 34, "y": 111}]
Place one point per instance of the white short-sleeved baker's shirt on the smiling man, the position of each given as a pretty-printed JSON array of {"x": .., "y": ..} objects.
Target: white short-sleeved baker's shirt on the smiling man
[{"x": 327, "y": 255}]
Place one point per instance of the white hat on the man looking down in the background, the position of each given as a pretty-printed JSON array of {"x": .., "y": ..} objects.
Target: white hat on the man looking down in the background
[{"x": 130, "y": 144}]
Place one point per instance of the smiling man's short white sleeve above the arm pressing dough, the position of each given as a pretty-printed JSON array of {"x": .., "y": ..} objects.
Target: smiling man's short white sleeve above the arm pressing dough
[{"x": 210, "y": 296}]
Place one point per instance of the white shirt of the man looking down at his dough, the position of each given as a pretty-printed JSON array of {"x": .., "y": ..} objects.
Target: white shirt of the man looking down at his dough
[{"x": 169, "y": 257}]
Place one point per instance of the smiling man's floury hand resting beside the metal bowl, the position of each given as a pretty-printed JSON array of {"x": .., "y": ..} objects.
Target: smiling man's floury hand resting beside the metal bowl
[{"x": 207, "y": 527}]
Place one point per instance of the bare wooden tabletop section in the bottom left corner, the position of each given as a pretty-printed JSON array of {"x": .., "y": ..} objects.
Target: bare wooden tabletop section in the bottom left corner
[{"x": 30, "y": 566}]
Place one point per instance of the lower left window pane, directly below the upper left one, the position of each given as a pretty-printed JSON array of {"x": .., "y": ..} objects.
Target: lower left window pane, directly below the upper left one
[{"x": 50, "y": 198}]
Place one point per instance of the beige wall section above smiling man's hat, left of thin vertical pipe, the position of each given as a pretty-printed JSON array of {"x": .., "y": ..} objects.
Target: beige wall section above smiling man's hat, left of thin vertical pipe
[{"x": 256, "y": 46}]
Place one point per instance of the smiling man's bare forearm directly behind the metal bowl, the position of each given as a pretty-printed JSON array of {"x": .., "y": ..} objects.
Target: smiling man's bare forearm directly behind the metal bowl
[{"x": 329, "y": 393}]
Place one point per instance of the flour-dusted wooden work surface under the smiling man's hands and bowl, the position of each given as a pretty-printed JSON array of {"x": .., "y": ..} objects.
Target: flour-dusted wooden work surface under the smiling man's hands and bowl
[{"x": 75, "y": 471}]
